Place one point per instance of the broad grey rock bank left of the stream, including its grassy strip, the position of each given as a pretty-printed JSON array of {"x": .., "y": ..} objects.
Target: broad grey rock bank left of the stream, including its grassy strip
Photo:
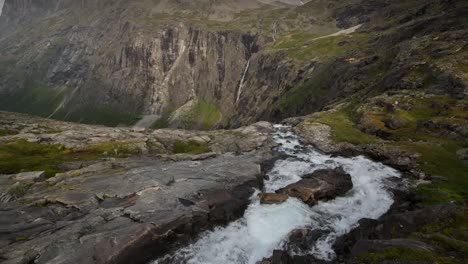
[{"x": 112, "y": 207}]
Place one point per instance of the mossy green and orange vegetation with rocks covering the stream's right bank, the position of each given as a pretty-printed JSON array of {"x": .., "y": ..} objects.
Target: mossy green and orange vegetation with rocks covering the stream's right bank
[{"x": 423, "y": 124}]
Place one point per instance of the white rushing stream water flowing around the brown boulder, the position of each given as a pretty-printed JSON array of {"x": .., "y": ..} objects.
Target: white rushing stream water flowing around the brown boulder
[{"x": 264, "y": 228}]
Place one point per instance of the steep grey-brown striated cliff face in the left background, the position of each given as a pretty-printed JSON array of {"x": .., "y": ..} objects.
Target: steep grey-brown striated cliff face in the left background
[{"x": 111, "y": 69}]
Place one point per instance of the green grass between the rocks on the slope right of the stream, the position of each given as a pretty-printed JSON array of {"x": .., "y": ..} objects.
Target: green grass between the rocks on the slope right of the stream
[{"x": 437, "y": 154}]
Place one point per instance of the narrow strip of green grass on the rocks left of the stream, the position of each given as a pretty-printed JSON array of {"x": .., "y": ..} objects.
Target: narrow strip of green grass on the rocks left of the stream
[{"x": 21, "y": 155}]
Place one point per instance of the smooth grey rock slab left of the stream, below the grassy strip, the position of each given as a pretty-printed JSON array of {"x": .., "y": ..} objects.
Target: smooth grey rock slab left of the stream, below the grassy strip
[{"x": 124, "y": 211}]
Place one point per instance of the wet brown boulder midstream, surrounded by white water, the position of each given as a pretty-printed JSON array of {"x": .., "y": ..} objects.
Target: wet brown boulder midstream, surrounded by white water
[{"x": 321, "y": 185}]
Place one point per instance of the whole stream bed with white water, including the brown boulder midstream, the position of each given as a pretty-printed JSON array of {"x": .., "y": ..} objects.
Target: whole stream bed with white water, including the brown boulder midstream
[{"x": 298, "y": 219}]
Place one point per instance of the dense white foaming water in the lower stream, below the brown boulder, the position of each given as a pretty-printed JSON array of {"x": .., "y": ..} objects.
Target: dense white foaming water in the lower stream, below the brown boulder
[{"x": 254, "y": 237}]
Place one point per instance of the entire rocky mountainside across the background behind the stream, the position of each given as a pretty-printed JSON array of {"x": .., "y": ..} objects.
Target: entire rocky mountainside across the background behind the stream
[{"x": 198, "y": 64}]
